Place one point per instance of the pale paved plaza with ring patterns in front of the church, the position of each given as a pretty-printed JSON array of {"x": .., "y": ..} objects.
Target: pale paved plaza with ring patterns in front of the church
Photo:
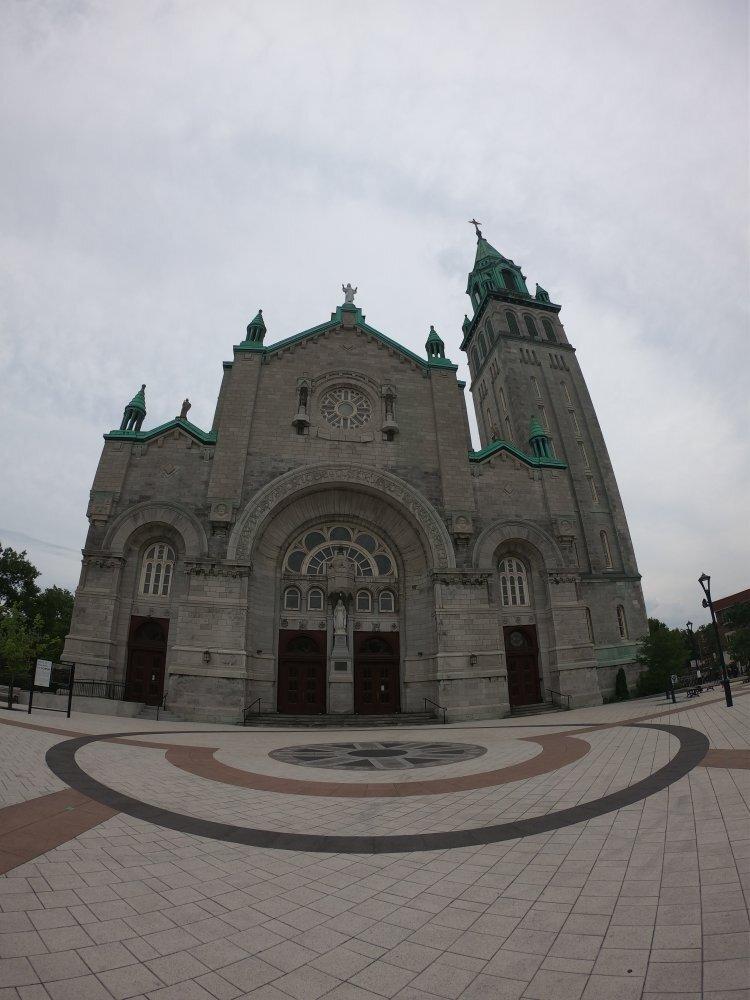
[{"x": 598, "y": 853}]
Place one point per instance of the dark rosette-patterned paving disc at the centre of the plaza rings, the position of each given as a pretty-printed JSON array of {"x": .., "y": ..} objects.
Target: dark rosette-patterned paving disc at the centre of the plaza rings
[{"x": 391, "y": 755}]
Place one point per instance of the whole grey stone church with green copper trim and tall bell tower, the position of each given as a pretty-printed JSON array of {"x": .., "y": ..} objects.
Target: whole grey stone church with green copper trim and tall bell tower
[{"x": 334, "y": 544}]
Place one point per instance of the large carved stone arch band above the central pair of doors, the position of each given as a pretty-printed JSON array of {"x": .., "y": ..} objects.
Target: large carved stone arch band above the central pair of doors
[{"x": 416, "y": 507}]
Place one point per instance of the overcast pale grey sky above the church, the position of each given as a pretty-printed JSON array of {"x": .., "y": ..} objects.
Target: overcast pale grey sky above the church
[{"x": 168, "y": 167}]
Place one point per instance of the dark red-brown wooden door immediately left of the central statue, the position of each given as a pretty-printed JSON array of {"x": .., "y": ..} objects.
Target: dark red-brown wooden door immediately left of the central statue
[{"x": 302, "y": 672}]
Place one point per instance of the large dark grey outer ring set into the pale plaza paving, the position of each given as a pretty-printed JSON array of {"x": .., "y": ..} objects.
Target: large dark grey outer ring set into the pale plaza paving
[{"x": 61, "y": 761}]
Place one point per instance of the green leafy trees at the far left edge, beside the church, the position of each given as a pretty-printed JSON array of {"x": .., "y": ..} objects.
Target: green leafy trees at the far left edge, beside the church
[{"x": 33, "y": 622}]
